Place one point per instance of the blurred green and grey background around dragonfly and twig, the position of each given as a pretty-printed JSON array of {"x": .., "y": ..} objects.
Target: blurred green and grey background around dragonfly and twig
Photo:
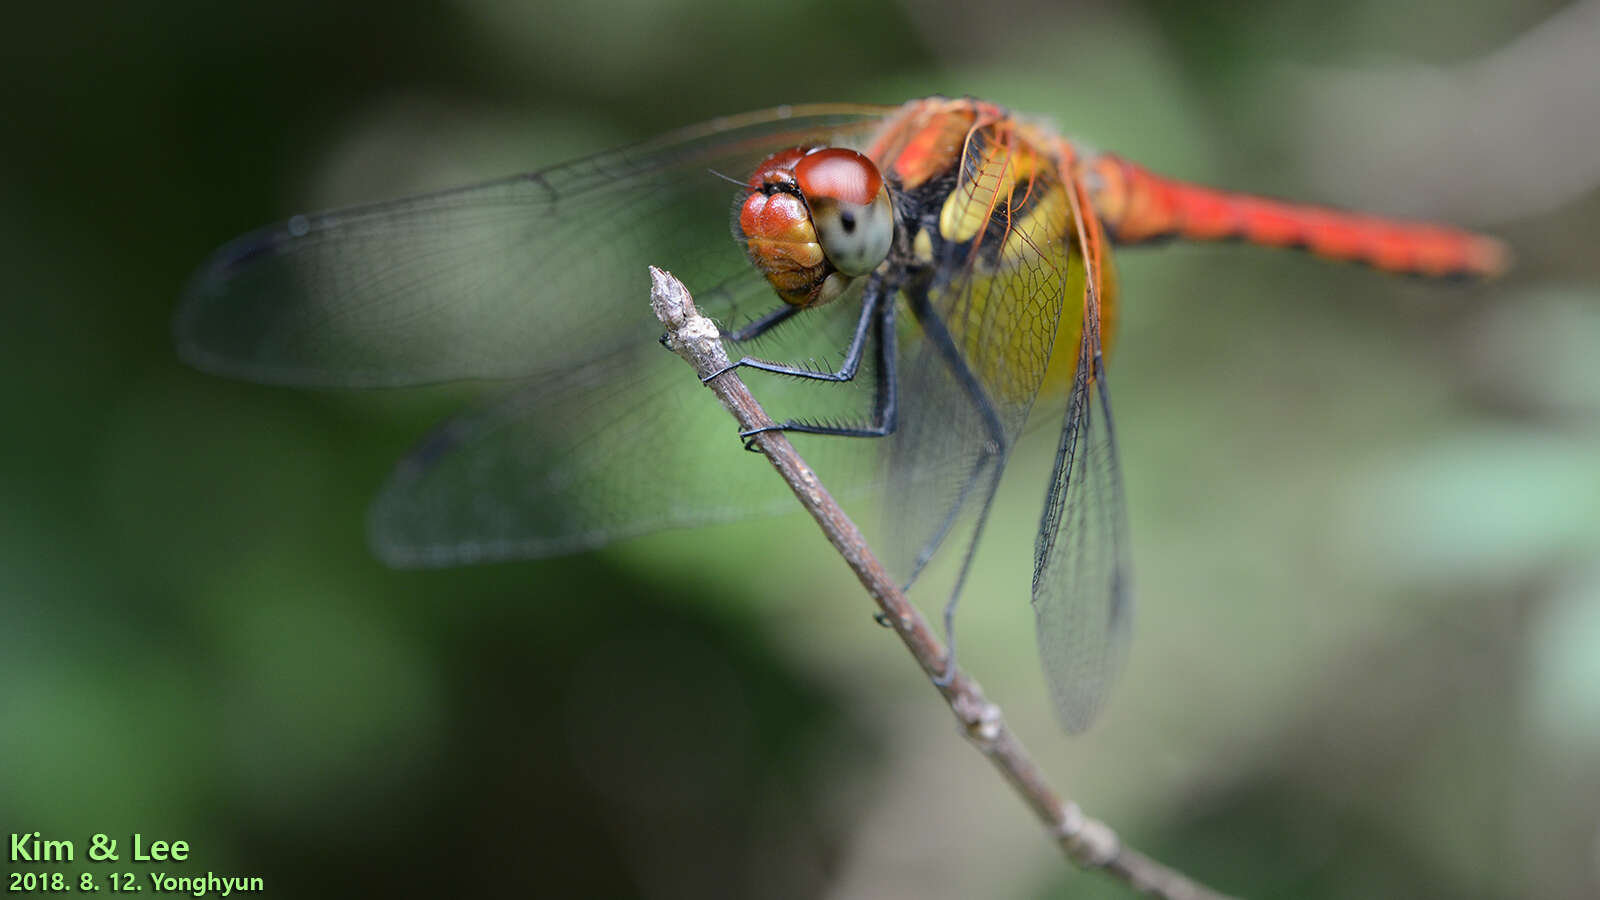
[{"x": 1366, "y": 512}]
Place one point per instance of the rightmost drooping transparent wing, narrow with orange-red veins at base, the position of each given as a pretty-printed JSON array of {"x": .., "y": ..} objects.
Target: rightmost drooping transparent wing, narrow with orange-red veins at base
[{"x": 1082, "y": 598}]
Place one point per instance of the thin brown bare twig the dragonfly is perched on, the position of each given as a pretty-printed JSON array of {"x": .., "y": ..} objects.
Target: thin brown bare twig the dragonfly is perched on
[{"x": 1087, "y": 842}]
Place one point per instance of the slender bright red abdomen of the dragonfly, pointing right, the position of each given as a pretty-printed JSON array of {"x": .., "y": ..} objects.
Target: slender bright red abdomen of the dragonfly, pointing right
[{"x": 1138, "y": 206}]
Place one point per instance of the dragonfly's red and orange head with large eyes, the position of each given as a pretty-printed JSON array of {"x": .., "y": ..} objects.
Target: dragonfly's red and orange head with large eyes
[{"x": 815, "y": 220}]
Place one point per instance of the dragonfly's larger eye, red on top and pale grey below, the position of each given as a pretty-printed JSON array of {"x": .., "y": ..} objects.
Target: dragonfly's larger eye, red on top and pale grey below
[{"x": 850, "y": 209}]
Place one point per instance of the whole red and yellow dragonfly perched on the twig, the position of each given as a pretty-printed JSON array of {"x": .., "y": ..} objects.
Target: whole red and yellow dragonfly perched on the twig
[{"x": 906, "y": 287}]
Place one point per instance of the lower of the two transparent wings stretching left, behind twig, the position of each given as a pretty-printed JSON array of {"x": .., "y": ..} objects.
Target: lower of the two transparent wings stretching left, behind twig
[{"x": 625, "y": 446}]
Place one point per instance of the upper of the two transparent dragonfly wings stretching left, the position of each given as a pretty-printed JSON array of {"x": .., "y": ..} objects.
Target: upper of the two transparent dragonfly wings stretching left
[{"x": 505, "y": 279}]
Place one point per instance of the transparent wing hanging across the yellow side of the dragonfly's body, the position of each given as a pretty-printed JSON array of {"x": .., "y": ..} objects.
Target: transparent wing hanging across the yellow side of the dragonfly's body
[{"x": 982, "y": 352}]
